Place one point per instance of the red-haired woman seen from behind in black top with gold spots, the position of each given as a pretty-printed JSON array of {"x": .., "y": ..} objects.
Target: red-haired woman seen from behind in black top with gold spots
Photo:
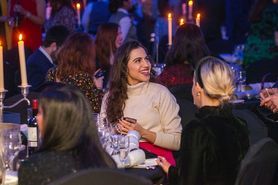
[{"x": 76, "y": 66}]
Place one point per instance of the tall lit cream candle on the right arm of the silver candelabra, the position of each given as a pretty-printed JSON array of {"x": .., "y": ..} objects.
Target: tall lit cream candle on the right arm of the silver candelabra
[{"x": 22, "y": 61}]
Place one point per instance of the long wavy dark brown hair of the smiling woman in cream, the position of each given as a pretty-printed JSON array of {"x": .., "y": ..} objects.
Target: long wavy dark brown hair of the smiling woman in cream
[{"x": 118, "y": 87}]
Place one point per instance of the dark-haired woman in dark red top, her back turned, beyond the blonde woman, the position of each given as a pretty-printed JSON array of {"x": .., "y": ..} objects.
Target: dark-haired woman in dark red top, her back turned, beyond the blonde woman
[{"x": 188, "y": 48}]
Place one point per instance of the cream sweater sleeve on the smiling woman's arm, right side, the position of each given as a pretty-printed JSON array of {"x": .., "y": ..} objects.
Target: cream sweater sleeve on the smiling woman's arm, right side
[{"x": 170, "y": 136}]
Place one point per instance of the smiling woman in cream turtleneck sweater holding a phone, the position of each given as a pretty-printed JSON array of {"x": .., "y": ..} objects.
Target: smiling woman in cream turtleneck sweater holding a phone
[{"x": 131, "y": 94}]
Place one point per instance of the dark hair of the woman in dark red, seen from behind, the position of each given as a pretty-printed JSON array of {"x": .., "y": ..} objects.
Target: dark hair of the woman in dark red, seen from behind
[{"x": 188, "y": 46}]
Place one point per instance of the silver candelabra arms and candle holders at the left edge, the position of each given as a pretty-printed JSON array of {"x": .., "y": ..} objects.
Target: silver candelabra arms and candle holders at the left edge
[{"x": 24, "y": 92}]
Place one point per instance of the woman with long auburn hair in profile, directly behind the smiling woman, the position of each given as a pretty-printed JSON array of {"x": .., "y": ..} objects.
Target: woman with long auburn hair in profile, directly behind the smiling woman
[{"x": 108, "y": 39}]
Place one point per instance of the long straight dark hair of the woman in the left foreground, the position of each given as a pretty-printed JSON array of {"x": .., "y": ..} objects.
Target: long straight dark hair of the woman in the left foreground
[{"x": 68, "y": 126}]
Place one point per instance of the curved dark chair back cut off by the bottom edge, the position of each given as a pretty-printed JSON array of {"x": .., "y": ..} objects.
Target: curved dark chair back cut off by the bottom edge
[{"x": 101, "y": 177}]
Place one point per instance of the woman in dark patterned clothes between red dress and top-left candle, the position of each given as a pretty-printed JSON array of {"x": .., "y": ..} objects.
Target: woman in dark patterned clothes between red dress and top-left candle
[{"x": 62, "y": 13}]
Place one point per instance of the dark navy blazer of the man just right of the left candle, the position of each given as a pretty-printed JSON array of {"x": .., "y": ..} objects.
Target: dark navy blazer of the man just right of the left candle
[{"x": 37, "y": 66}]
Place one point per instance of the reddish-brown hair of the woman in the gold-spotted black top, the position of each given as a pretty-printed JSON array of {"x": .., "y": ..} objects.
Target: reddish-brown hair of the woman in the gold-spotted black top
[{"x": 76, "y": 54}]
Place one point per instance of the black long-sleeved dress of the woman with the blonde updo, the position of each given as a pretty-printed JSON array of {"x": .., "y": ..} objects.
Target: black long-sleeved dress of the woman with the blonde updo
[{"x": 212, "y": 147}]
